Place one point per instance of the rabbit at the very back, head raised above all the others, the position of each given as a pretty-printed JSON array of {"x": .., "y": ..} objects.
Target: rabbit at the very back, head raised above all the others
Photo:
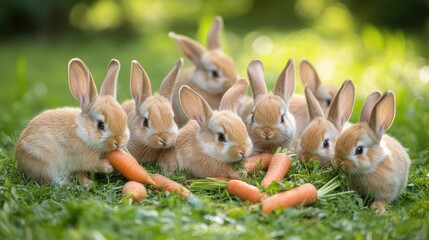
[{"x": 213, "y": 72}]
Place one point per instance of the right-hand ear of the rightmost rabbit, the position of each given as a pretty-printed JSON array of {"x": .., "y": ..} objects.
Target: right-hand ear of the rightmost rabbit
[{"x": 383, "y": 114}]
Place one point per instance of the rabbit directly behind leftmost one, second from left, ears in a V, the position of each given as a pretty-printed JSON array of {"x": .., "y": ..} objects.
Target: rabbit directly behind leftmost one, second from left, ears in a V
[{"x": 151, "y": 117}]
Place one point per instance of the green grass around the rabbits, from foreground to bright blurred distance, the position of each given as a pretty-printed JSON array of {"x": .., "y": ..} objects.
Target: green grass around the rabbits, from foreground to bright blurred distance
[{"x": 33, "y": 75}]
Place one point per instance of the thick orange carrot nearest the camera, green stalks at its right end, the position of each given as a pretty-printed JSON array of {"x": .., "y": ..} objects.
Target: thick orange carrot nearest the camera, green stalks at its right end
[{"x": 300, "y": 196}]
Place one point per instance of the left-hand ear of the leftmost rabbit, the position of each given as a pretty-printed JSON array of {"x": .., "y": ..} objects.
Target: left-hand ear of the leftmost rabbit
[{"x": 81, "y": 83}]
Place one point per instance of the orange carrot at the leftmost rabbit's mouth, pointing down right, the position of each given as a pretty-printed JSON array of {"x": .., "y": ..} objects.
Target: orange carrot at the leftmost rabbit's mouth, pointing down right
[{"x": 128, "y": 166}]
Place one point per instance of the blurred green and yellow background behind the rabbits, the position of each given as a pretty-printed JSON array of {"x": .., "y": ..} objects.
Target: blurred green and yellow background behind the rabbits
[{"x": 380, "y": 45}]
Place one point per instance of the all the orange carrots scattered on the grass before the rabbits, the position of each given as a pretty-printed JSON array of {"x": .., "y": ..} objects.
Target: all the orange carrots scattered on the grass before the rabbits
[{"x": 277, "y": 167}]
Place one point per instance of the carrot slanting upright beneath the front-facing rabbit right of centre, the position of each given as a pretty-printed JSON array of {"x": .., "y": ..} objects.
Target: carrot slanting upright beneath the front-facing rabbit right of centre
[{"x": 278, "y": 168}]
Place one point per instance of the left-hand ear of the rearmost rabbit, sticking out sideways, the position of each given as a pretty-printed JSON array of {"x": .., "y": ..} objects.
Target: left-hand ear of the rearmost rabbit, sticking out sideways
[{"x": 191, "y": 48}]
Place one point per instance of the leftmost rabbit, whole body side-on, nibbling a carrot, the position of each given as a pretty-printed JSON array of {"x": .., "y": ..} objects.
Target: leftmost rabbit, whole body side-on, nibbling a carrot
[{"x": 69, "y": 141}]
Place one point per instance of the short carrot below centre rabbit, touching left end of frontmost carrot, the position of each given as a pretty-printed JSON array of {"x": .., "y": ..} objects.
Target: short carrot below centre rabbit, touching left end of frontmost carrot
[{"x": 245, "y": 191}]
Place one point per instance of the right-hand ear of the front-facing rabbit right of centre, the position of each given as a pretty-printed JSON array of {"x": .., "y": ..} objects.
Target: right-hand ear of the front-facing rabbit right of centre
[{"x": 285, "y": 85}]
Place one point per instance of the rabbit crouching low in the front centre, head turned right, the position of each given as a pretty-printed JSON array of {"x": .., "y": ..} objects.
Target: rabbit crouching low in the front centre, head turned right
[{"x": 213, "y": 140}]
